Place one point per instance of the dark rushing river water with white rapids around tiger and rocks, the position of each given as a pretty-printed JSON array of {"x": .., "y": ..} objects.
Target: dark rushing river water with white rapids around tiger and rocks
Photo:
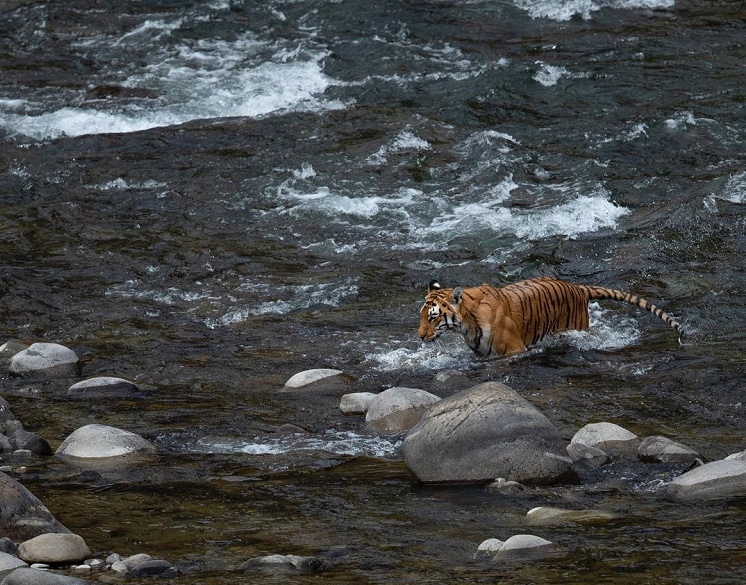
[{"x": 206, "y": 198}]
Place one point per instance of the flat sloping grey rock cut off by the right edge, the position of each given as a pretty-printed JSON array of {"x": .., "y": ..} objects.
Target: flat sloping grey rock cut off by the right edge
[{"x": 725, "y": 478}]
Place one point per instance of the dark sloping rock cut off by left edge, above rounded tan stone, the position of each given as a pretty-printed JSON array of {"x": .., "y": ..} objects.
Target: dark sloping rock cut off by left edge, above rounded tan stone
[{"x": 22, "y": 515}]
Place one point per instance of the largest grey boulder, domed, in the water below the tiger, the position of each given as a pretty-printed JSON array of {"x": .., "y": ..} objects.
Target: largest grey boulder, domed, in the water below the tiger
[{"x": 483, "y": 433}]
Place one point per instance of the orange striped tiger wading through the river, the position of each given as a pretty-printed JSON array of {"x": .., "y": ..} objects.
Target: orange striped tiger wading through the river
[{"x": 497, "y": 322}]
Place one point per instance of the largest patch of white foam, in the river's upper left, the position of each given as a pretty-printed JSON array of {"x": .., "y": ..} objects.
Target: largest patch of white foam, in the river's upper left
[{"x": 180, "y": 80}]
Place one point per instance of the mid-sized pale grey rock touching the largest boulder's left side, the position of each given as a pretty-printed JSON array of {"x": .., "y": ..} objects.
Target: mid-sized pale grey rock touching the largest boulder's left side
[{"x": 397, "y": 410}]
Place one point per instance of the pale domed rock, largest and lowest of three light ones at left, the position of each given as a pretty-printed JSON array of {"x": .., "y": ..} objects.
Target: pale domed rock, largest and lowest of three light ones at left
[{"x": 99, "y": 441}]
